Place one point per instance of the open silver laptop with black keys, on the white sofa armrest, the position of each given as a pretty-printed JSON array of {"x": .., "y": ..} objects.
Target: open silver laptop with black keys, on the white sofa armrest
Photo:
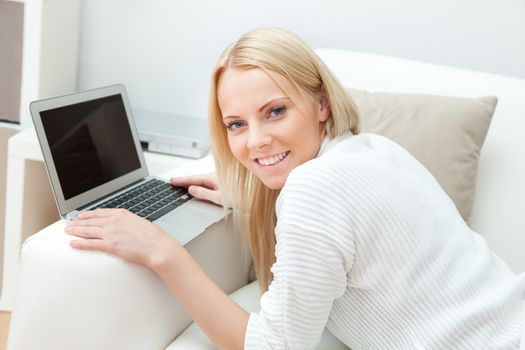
[{"x": 94, "y": 160}]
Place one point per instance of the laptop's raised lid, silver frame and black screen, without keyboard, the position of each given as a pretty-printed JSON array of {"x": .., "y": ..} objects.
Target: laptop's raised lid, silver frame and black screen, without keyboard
[{"x": 89, "y": 143}]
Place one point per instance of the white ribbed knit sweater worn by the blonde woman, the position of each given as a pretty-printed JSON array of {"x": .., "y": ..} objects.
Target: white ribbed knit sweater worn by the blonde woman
[{"x": 369, "y": 245}]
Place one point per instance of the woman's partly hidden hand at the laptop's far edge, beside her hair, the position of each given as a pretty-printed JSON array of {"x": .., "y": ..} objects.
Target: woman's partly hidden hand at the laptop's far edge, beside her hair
[{"x": 205, "y": 187}]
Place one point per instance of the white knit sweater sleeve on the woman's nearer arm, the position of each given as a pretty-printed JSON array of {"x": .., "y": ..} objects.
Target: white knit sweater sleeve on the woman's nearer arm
[{"x": 314, "y": 252}]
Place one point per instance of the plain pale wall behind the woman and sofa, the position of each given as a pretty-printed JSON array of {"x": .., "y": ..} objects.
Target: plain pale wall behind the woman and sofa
[{"x": 164, "y": 50}]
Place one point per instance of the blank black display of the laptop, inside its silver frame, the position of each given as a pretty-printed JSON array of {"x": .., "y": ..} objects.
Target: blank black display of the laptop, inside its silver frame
[{"x": 91, "y": 143}]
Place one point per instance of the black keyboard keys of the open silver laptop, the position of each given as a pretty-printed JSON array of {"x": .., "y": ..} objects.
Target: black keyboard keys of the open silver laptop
[{"x": 151, "y": 200}]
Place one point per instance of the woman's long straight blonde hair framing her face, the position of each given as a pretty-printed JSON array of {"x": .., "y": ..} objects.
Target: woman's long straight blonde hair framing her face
[{"x": 253, "y": 204}]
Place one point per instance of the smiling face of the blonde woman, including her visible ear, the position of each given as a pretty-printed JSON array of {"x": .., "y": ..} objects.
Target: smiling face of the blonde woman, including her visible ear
[{"x": 270, "y": 132}]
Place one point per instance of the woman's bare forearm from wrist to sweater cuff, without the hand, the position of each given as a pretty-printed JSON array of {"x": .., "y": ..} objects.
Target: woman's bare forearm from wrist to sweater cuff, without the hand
[{"x": 218, "y": 316}]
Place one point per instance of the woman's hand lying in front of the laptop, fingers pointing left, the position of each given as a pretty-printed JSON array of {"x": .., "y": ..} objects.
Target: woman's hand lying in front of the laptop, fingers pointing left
[{"x": 123, "y": 234}]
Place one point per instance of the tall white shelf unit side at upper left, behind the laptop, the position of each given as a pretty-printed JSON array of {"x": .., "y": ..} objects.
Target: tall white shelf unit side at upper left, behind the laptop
[{"x": 50, "y": 51}]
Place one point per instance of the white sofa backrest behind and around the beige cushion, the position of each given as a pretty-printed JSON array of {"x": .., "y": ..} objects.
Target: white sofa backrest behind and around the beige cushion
[{"x": 499, "y": 204}]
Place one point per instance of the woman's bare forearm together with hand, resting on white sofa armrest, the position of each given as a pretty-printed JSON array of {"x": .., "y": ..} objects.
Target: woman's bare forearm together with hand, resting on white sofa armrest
[{"x": 136, "y": 240}]
